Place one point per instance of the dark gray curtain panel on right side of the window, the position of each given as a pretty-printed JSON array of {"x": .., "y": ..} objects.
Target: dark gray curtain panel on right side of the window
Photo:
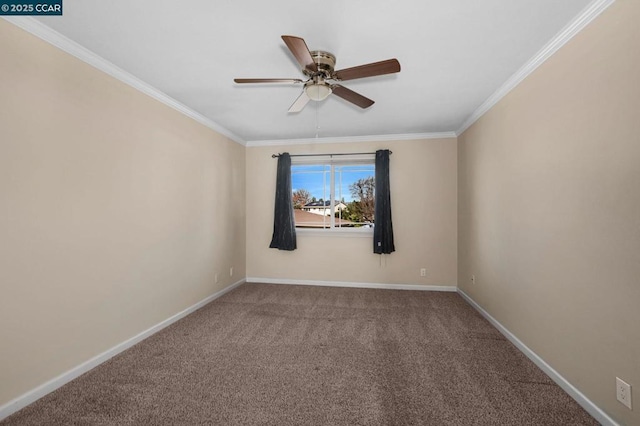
[{"x": 383, "y": 227}]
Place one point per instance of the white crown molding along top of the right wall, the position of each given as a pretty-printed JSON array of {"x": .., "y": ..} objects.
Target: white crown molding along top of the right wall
[{"x": 594, "y": 9}]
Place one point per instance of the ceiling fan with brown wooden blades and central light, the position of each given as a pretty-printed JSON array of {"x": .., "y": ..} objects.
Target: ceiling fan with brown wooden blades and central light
[{"x": 322, "y": 80}]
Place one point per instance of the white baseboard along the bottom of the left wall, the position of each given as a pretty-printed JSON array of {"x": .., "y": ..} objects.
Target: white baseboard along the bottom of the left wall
[{"x": 33, "y": 395}]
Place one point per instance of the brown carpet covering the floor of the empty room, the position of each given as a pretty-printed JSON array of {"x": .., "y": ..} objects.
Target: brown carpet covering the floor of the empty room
[{"x": 278, "y": 355}]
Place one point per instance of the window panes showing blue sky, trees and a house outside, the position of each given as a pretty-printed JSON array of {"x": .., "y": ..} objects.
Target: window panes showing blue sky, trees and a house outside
[{"x": 329, "y": 196}]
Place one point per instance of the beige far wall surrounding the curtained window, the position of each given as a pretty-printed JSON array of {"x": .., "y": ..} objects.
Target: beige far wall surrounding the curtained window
[{"x": 424, "y": 205}]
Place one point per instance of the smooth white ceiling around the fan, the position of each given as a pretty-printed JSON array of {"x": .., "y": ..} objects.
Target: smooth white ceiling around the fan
[{"x": 455, "y": 54}]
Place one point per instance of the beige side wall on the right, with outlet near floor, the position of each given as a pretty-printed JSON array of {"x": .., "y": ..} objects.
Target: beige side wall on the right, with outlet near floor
[{"x": 549, "y": 209}]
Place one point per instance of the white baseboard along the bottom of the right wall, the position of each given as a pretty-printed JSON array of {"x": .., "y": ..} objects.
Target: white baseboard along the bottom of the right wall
[{"x": 595, "y": 411}]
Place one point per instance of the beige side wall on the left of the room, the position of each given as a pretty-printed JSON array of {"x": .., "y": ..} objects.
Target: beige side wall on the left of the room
[{"x": 115, "y": 212}]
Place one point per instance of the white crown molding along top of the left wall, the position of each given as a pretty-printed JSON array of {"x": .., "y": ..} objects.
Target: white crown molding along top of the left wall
[{"x": 56, "y": 39}]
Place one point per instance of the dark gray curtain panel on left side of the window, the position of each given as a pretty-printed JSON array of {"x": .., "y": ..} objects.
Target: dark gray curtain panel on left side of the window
[{"x": 284, "y": 227}]
